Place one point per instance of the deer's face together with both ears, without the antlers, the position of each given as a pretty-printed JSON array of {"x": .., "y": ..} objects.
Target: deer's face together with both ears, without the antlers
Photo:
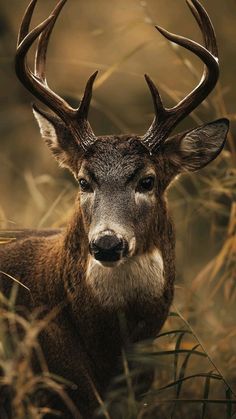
[{"x": 121, "y": 184}]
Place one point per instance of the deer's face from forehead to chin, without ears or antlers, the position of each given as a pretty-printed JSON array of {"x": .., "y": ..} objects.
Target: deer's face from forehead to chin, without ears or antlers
[{"x": 118, "y": 197}]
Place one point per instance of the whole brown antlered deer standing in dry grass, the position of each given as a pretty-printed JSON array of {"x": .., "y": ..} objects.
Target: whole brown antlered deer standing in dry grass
[{"x": 116, "y": 256}]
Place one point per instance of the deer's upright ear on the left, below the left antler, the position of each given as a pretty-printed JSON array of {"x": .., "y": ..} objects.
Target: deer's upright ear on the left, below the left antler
[{"x": 58, "y": 138}]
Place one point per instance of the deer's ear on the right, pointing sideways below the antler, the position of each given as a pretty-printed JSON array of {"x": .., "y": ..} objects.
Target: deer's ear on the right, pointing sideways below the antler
[{"x": 196, "y": 148}]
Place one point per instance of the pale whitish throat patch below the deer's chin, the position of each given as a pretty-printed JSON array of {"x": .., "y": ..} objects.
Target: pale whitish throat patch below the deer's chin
[{"x": 139, "y": 277}]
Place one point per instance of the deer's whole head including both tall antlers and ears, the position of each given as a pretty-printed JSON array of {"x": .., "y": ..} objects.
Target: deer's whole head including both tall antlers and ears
[{"x": 122, "y": 179}]
